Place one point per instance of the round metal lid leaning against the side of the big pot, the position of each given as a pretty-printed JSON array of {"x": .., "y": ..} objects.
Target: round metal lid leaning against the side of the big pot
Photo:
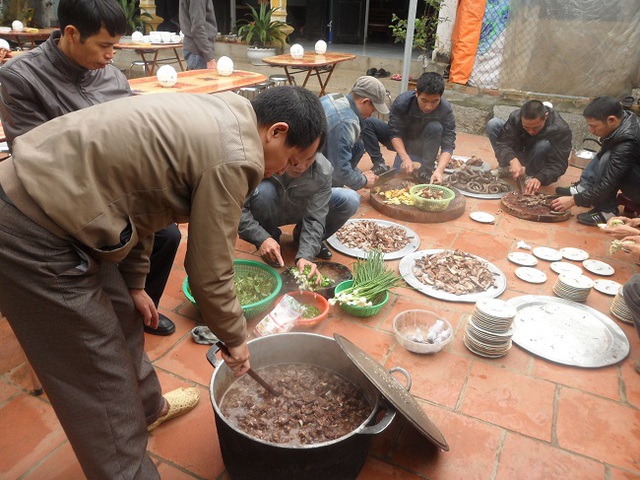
[{"x": 395, "y": 393}]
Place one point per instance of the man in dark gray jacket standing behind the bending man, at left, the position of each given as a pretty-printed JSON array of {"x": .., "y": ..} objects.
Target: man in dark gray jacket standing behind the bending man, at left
[{"x": 70, "y": 71}]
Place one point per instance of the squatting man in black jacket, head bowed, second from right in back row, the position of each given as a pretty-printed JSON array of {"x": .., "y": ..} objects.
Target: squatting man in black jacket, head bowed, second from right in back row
[{"x": 535, "y": 141}]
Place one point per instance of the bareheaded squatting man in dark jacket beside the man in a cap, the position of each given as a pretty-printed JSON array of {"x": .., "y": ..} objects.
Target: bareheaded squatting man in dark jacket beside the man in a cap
[{"x": 421, "y": 125}]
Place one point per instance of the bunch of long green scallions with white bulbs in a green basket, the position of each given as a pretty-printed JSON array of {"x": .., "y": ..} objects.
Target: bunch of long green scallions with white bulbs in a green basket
[{"x": 371, "y": 279}]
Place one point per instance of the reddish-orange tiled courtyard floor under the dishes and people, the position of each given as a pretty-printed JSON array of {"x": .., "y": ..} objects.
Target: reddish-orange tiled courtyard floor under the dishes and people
[{"x": 517, "y": 417}]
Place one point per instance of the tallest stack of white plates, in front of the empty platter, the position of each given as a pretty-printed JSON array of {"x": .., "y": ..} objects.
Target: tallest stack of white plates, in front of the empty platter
[{"x": 489, "y": 328}]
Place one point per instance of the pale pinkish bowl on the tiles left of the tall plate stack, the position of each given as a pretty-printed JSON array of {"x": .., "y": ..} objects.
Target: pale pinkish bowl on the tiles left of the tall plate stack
[{"x": 422, "y": 331}]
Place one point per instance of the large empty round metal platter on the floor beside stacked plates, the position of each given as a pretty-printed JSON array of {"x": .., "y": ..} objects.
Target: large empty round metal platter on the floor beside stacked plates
[{"x": 567, "y": 332}]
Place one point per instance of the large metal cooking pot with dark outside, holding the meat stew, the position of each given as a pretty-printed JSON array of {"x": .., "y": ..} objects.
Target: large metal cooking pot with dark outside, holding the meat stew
[{"x": 249, "y": 458}]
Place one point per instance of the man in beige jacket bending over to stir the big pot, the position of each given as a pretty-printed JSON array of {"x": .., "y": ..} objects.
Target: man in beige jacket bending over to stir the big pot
[{"x": 79, "y": 202}]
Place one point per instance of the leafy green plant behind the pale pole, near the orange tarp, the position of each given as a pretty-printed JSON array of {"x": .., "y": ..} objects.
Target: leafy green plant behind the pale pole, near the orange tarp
[{"x": 424, "y": 35}]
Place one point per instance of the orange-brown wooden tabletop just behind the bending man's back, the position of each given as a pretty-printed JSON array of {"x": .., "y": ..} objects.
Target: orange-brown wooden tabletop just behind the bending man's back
[{"x": 198, "y": 81}]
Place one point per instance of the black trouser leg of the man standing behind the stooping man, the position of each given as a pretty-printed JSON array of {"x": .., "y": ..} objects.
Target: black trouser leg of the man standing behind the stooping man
[{"x": 165, "y": 246}]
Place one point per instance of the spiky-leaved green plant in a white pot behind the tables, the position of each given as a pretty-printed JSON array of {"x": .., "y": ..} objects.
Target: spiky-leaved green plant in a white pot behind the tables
[{"x": 261, "y": 34}]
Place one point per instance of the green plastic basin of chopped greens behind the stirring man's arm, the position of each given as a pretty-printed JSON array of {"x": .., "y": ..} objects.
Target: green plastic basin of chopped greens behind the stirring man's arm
[{"x": 257, "y": 286}]
